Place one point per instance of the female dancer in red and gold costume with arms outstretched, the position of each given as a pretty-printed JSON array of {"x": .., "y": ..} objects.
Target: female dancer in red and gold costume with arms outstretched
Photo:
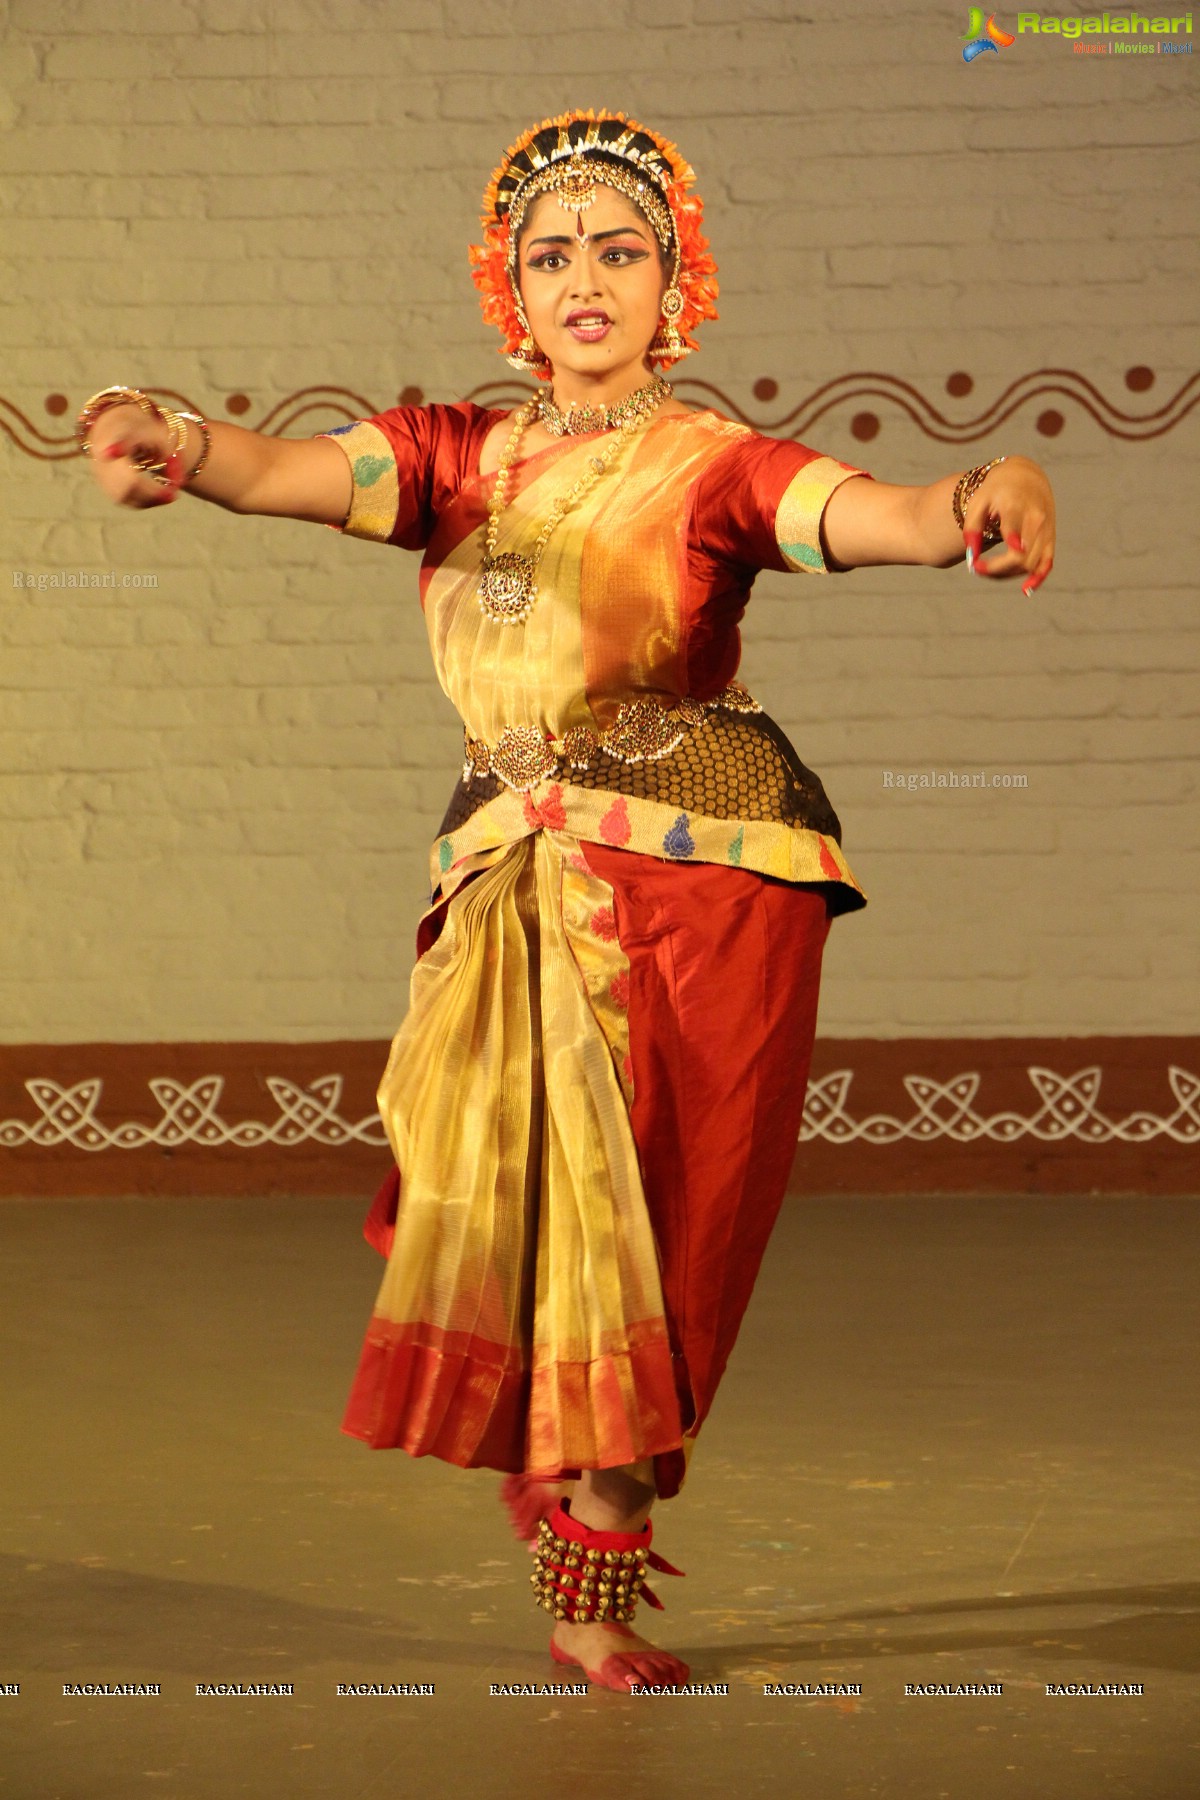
[{"x": 598, "y": 1090}]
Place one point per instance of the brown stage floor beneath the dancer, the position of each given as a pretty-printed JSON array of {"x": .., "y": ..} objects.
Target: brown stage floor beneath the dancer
[{"x": 958, "y": 1443}]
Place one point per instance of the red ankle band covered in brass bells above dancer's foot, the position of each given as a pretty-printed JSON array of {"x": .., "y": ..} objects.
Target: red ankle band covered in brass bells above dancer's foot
[{"x": 586, "y": 1576}]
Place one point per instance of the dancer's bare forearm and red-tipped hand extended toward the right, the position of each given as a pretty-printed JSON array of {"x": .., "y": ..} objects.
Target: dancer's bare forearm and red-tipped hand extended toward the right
[{"x": 870, "y": 523}]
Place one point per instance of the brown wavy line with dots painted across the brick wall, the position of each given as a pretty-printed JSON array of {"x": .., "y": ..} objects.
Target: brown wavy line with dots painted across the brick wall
[{"x": 870, "y": 397}]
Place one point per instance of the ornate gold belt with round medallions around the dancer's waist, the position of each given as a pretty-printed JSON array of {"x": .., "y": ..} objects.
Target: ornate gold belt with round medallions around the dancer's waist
[{"x": 641, "y": 733}]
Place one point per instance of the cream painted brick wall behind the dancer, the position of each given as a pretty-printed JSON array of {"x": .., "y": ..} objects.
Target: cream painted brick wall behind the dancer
[{"x": 217, "y": 798}]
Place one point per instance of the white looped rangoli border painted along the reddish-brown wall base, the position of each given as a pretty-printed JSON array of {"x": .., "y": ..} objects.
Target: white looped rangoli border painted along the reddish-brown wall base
[{"x": 1070, "y": 1108}]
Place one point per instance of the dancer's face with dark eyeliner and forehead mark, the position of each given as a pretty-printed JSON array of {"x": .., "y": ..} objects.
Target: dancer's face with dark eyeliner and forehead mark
[{"x": 593, "y": 285}]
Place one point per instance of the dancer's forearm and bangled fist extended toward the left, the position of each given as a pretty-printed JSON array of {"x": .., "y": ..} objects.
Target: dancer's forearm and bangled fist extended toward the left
[{"x": 244, "y": 472}]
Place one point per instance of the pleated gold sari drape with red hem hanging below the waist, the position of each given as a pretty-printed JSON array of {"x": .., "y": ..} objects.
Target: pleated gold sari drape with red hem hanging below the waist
[{"x": 521, "y": 1318}]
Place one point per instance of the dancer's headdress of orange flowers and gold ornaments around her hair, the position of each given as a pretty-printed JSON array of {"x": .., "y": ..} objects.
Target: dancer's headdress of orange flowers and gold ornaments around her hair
[{"x": 568, "y": 156}]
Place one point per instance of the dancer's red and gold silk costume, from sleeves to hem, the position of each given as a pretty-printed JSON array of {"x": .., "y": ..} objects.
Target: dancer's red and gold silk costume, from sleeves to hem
[{"x": 596, "y": 1095}]
